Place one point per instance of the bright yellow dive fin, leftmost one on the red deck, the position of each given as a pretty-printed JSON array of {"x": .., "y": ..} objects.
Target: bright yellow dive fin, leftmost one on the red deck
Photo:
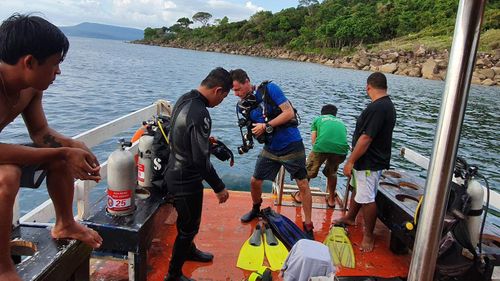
[{"x": 252, "y": 252}]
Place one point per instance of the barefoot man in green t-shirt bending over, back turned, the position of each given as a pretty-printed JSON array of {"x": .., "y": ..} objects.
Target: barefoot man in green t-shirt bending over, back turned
[{"x": 329, "y": 140}]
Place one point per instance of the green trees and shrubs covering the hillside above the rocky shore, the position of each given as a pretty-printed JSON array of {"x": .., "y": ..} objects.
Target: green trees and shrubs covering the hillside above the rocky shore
[{"x": 326, "y": 27}]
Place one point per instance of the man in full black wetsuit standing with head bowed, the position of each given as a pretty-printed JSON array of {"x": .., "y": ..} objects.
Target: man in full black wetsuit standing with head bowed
[{"x": 189, "y": 164}]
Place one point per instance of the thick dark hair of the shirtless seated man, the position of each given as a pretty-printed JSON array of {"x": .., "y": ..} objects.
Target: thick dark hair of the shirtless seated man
[{"x": 22, "y": 35}]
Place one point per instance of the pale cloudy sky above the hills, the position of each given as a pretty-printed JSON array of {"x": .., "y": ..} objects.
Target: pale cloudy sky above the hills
[{"x": 138, "y": 13}]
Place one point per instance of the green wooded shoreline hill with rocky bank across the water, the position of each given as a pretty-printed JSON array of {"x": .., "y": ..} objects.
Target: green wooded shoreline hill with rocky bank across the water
[{"x": 410, "y": 38}]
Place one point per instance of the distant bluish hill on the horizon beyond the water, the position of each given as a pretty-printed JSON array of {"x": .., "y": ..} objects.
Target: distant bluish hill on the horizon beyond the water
[{"x": 103, "y": 31}]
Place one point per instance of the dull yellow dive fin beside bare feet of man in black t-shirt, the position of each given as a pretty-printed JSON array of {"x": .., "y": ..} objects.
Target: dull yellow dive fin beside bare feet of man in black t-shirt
[{"x": 340, "y": 247}]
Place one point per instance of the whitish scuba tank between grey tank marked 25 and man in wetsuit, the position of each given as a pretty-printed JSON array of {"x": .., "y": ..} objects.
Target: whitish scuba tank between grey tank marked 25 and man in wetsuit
[{"x": 145, "y": 161}]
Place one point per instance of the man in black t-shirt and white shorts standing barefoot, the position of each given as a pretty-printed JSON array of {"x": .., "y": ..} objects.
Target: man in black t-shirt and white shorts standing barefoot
[{"x": 372, "y": 141}]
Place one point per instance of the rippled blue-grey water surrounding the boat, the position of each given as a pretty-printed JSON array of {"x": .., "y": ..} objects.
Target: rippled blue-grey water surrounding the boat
[{"x": 102, "y": 80}]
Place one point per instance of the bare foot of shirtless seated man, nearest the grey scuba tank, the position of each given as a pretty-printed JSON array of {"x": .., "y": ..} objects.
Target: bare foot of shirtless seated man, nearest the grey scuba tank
[{"x": 78, "y": 232}]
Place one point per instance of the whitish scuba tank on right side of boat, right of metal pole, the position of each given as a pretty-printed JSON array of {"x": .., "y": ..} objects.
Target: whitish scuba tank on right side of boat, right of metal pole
[{"x": 474, "y": 218}]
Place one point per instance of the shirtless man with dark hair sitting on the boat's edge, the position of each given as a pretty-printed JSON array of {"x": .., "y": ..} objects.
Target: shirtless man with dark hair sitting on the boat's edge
[{"x": 31, "y": 50}]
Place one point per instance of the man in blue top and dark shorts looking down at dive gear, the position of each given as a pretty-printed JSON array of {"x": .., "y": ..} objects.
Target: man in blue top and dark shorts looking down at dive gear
[{"x": 284, "y": 146}]
